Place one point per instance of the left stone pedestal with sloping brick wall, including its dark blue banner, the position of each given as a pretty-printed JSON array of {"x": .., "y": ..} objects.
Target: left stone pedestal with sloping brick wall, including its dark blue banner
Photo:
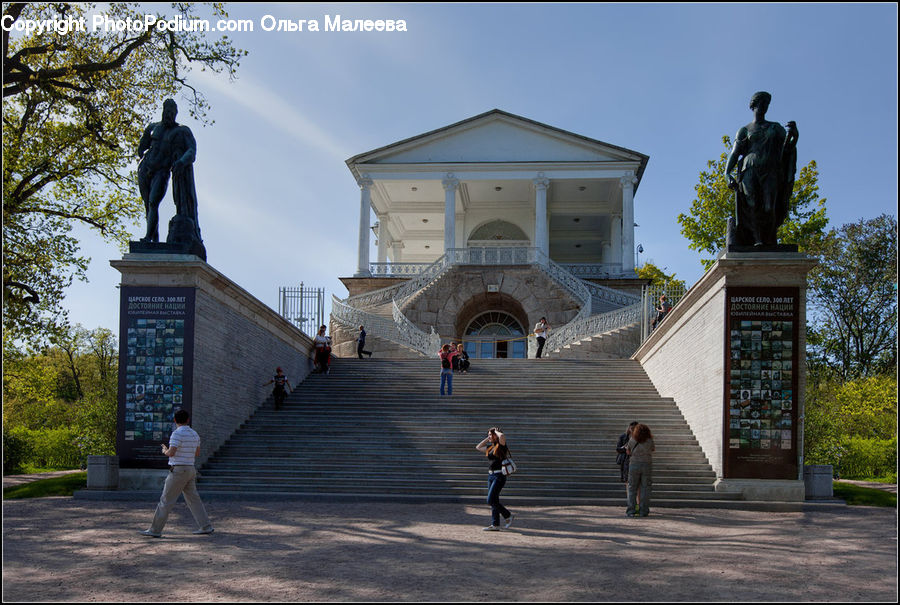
[{"x": 232, "y": 348}]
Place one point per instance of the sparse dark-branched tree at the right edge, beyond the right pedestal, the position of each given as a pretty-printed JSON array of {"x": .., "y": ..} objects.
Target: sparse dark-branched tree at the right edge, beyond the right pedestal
[{"x": 853, "y": 296}]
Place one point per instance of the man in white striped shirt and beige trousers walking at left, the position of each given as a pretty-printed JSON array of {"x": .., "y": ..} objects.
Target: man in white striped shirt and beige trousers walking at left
[{"x": 184, "y": 446}]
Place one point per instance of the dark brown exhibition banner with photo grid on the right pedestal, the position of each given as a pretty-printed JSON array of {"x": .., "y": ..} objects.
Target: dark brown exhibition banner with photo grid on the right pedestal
[{"x": 761, "y": 379}]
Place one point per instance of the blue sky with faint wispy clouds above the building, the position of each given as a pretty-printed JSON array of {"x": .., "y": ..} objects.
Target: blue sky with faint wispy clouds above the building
[{"x": 278, "y": 205}]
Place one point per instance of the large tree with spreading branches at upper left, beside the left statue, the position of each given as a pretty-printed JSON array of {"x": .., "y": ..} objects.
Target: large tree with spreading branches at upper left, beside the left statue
[{"x": 74, "y": 106}]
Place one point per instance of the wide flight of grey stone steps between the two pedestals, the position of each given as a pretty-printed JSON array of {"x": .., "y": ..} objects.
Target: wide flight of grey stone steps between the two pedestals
[{"x": 378, "y": 428}]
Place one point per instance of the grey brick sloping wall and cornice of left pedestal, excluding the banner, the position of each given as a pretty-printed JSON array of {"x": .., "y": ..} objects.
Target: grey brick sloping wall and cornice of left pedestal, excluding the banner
[{"x": 238, "y": 343}]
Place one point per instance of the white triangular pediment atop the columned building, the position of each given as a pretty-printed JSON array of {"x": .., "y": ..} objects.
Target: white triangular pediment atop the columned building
[{"x": 497, "y": 137}]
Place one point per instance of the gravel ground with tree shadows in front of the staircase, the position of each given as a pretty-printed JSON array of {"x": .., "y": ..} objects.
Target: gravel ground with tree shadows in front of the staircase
[{"x": 60, "y": 549}]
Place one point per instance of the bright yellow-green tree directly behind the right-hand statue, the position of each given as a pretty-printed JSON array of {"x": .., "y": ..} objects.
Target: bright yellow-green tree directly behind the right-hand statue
[{"x": 706, "y": 224}]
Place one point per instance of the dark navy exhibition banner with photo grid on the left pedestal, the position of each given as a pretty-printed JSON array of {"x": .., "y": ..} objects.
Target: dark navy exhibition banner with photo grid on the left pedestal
[{"x": 156, "y": 336}]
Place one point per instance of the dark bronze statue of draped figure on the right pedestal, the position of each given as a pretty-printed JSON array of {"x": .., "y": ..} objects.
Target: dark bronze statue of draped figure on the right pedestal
[{"x": 766, "y": 157}]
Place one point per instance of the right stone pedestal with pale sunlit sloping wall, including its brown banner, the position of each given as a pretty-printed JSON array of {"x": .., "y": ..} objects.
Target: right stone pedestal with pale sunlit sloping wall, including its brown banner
[{"x": 724, "y": 388}]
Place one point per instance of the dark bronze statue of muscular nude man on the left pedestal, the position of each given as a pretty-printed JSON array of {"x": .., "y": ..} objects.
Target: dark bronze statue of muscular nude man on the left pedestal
[{"x": 168, "y": 147}]
